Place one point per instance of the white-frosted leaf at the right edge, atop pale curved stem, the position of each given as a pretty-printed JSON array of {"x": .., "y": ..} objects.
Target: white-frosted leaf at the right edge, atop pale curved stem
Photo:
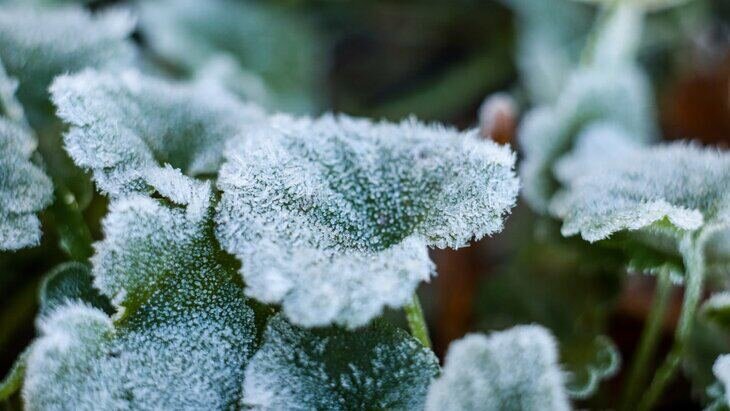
[{"x": 634, "y": 187}]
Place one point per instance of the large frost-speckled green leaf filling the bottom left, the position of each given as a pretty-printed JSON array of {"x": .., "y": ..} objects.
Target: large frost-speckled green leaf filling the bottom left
[{"x": 184, "y": 330}]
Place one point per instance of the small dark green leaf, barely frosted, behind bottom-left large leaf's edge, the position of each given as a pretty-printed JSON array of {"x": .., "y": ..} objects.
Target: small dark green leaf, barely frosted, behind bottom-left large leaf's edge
[{"x": 70, "y": 282}]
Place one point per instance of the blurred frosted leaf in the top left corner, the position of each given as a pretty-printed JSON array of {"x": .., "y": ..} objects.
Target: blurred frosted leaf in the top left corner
[{"x": 36, "y": 44}]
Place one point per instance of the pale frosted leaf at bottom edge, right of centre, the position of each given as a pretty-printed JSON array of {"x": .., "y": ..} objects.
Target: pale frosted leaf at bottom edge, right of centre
[{"x": 516, "y": 369}]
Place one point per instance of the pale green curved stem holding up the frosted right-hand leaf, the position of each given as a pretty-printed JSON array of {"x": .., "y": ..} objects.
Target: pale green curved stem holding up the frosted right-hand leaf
[{"x": 693, "y": 255}]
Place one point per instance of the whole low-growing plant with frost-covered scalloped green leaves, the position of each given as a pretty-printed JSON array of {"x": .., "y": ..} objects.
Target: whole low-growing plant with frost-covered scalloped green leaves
[{"x": 250, "y": 259}]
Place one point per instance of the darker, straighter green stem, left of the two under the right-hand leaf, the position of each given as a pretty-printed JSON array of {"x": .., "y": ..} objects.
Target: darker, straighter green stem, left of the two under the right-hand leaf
[{"x": 648, "y": 341}]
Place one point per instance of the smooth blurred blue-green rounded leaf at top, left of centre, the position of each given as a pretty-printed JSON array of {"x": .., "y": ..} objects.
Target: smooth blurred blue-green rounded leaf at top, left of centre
[{"x": 251, "y": 40}]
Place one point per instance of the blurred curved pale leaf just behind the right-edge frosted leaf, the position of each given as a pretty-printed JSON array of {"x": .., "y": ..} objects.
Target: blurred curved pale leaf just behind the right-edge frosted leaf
[{"x": 616, "y": 95}]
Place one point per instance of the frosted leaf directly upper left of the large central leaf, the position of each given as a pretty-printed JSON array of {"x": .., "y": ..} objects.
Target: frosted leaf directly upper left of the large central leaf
[{"x": 126, "y": 125}]
